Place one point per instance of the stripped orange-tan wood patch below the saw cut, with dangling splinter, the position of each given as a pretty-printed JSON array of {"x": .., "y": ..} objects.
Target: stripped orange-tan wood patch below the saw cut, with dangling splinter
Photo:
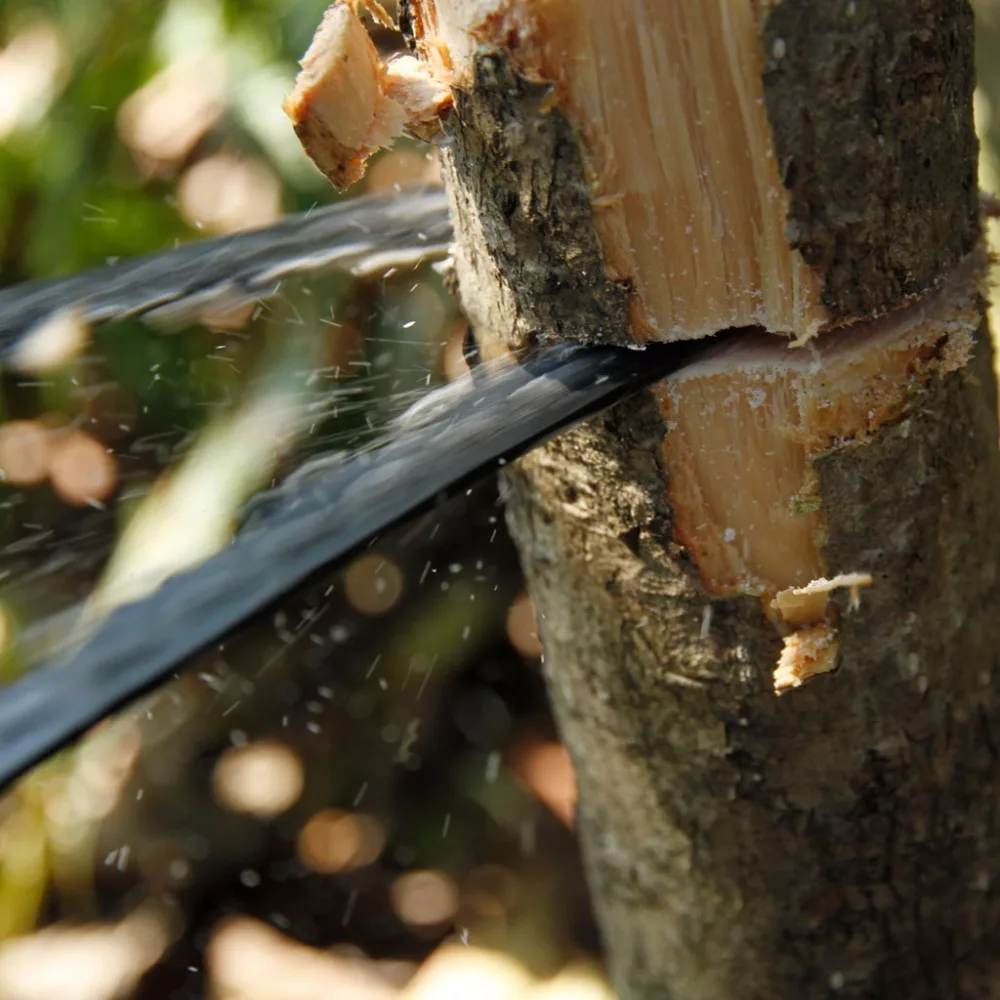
[{"x": 745, "y": 429}]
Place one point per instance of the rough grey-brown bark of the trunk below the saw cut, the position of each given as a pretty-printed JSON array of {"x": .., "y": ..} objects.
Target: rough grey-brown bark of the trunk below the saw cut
[{"x": 836, "y": 842}]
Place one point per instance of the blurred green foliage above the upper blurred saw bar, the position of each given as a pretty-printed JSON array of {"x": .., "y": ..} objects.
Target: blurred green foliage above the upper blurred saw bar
[{"x": 72, "y": 192}]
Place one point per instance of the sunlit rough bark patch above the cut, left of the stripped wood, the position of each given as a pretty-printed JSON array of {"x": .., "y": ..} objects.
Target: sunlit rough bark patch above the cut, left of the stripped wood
[{"x": 524, "y": 183}]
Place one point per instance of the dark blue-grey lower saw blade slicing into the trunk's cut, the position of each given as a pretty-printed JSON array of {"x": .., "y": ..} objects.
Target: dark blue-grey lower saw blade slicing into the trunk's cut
[{"x": 314, "y": 521}]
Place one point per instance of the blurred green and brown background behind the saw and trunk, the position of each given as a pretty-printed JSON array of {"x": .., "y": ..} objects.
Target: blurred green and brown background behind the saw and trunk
[{"x": 363, "y": 794}]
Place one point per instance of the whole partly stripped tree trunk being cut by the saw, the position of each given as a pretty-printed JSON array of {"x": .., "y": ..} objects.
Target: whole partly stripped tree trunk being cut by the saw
[{"x": 650, "y": 170}]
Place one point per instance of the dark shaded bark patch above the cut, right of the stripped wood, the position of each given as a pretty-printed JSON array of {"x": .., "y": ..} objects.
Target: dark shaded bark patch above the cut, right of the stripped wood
[{"x": 870, "y": 104}]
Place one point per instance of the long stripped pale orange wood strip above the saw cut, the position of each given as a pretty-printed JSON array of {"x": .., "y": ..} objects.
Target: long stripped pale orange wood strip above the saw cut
[{"x": 692, "y": 216}]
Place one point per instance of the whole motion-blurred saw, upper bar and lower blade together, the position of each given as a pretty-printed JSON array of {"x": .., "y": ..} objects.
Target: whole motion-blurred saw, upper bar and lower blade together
[{"x": 454, "y": 436}]
